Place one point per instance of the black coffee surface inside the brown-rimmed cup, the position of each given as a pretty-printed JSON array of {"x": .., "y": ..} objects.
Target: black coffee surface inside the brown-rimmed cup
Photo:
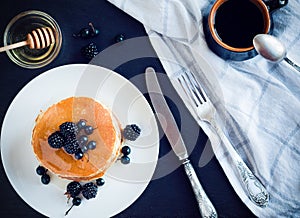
[{"x": 237, "y": 22}]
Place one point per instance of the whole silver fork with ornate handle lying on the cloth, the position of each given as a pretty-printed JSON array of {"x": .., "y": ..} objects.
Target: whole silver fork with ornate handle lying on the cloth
[{"x": 206, "y": 112}]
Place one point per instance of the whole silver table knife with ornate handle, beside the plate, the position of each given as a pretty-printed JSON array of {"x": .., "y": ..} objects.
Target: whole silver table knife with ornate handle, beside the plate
[{"x": 171, "y": 130}]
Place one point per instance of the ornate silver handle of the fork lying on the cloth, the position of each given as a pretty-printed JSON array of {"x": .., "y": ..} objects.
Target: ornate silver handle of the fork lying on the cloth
[{"x": 255, "y": 189}]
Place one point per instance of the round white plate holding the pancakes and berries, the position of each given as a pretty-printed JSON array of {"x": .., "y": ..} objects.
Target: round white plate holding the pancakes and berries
[{"x": 123, "y": 183}]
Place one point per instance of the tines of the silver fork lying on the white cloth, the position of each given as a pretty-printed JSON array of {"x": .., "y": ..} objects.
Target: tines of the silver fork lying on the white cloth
[{"x": 192, "y": 88}]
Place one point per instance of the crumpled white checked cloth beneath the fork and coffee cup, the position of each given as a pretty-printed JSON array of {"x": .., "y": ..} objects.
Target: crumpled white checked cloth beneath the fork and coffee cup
[{"x": 261, "y": 99}]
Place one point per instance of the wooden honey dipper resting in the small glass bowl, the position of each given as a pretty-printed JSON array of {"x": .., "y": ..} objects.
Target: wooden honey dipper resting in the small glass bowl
[{"x": 37, "y": 39}]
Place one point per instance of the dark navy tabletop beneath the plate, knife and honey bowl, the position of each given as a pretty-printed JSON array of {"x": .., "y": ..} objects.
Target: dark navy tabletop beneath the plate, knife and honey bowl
[{"x": 169, "y": 196}]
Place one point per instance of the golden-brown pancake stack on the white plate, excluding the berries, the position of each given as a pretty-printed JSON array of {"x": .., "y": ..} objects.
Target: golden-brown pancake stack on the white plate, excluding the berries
[{"x": 106, "y": 133}]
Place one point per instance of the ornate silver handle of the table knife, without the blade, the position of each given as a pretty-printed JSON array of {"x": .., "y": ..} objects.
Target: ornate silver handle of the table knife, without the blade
[{"x": 206, "y": 207}]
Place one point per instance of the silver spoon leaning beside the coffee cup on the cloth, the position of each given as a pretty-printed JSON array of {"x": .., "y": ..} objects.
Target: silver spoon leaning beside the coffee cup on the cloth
[{"x": 272, "y": 49}]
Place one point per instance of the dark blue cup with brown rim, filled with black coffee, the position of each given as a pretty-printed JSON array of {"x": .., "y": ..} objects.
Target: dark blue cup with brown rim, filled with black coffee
[{"x": 230, "y": 26}]
